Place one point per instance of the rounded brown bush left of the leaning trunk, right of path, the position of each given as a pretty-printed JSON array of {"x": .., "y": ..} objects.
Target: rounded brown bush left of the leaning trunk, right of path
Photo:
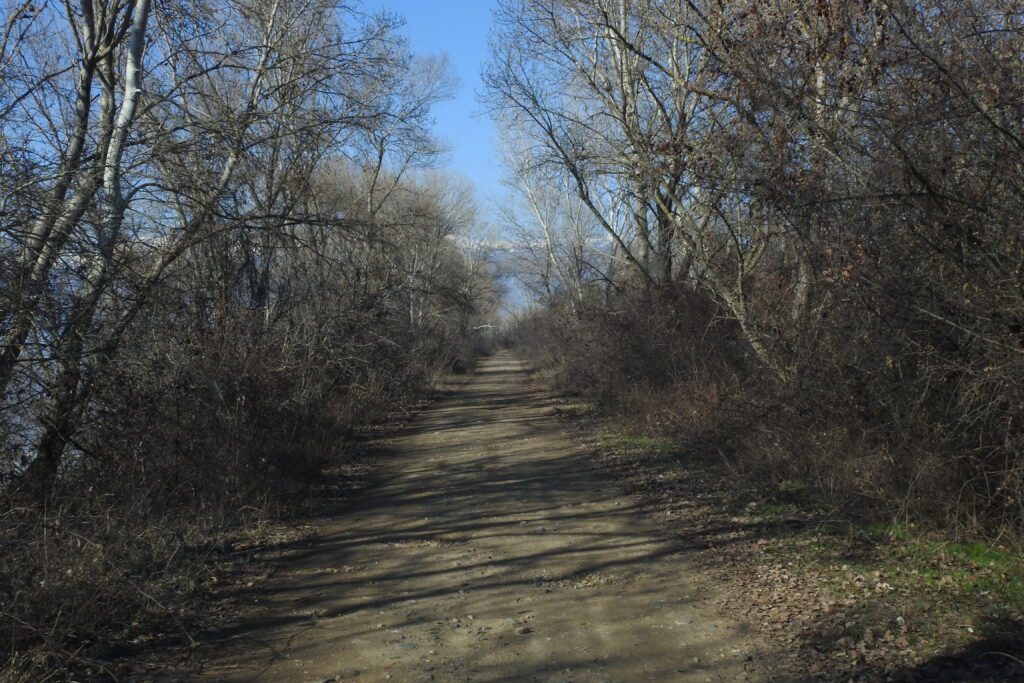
[{"x": 662, "y": 361}]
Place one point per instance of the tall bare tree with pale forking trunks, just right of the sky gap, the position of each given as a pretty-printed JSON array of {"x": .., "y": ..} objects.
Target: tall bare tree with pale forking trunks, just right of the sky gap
[{"x": 628, "y": 102}]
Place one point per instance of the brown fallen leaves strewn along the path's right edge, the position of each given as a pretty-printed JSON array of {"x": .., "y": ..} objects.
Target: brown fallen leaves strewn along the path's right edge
[{"x": 875, "y": 618}]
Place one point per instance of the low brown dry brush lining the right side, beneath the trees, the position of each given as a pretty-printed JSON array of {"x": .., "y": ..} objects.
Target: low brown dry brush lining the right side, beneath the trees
[{"x": 874, "y": 424}]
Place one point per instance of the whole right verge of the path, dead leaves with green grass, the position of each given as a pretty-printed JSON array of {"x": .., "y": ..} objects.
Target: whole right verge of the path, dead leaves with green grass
[{"x": 831, "y": 600}]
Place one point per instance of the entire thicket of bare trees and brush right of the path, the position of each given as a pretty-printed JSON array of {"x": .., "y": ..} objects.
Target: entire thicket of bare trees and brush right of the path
[{"x": 789, "y": 229}]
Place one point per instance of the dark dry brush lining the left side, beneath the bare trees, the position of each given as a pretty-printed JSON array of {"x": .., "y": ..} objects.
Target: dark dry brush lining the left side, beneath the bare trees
[{"x": 223, "y": 411}]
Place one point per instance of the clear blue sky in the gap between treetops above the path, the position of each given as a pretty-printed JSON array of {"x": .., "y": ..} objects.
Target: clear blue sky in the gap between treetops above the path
[{"x": 458, "y": 28}]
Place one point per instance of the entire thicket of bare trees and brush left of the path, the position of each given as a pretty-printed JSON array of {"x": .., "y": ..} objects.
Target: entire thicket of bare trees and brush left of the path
[{"x": 222, "y": 257}]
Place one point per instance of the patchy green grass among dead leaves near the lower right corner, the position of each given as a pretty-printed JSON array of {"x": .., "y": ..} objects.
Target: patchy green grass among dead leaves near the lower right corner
[{"x": 949, "y": 595}]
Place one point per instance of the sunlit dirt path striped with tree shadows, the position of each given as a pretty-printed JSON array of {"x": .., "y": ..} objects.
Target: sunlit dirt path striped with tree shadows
[{"x": 492, "y": 551}]
